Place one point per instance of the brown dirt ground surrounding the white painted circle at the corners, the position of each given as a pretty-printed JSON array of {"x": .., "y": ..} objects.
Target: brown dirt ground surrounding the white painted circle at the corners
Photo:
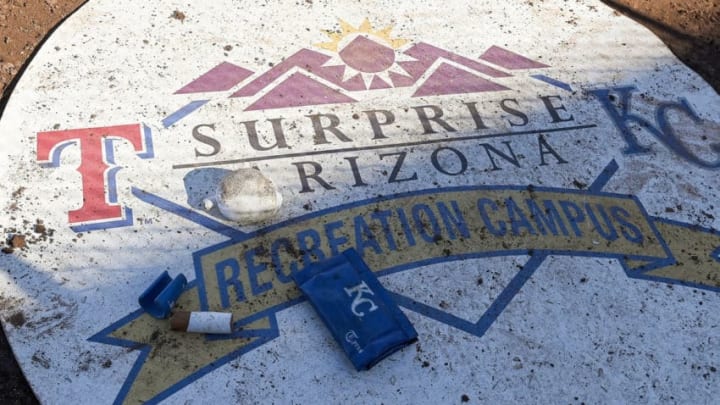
[{"x": 691, "y": 28}]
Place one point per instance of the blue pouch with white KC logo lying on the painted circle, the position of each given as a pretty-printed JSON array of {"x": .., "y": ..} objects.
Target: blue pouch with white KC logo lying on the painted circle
[{"x": 359, "y": 312}]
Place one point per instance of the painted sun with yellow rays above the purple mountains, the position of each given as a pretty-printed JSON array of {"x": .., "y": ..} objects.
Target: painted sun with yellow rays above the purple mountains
[{"x": 371, "y": 53}]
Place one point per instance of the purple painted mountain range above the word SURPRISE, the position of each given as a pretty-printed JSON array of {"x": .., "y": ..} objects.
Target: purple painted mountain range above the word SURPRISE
[{"x": 310, "y": 77}]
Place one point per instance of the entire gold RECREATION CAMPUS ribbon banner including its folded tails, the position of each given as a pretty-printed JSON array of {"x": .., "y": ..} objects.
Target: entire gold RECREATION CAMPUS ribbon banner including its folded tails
[{"x": 250, "y": 275}]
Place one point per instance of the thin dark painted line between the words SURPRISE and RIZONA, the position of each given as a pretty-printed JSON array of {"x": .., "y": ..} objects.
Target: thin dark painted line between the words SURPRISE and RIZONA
[{"x": 375, "y": 147}]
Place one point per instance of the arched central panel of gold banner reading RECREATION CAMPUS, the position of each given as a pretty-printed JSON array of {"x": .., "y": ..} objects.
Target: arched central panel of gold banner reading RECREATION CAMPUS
[{"x": 253, "y": 275}]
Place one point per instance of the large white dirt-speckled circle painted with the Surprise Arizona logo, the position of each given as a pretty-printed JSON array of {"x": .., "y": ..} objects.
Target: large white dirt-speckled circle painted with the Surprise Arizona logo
[{"x": 536, "y": 186}]
